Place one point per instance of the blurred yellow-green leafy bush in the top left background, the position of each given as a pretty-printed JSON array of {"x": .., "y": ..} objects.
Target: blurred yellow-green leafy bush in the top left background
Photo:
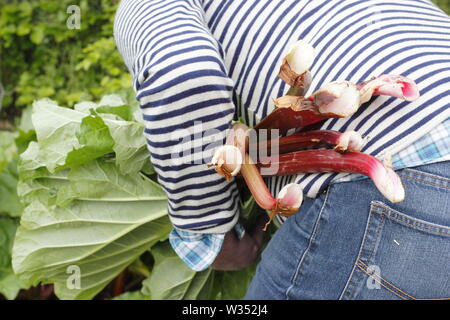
[{"x": 41, "y": 57}]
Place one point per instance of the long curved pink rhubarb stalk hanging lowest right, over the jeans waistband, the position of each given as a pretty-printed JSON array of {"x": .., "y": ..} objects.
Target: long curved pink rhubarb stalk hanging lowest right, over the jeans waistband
[{"x": 313, "y": 161}]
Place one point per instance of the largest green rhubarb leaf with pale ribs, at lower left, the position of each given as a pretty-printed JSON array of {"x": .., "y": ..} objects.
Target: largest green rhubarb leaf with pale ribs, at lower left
[{"x": 92, "y": 217}]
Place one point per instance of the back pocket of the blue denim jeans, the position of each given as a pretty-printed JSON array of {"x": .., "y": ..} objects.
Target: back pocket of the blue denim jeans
[{"x": 401, "y": 257}]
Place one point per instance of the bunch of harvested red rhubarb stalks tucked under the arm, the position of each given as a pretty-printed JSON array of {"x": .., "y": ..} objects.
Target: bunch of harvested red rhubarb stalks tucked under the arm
[{"x": 309, "y": 151}]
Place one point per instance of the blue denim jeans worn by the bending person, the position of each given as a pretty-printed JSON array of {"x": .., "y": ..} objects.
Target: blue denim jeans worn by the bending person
[{"x": 351, "y": 243}]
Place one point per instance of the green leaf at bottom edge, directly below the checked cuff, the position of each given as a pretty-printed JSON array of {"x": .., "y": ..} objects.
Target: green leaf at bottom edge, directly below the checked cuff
[{"x": 171, "y": 279}]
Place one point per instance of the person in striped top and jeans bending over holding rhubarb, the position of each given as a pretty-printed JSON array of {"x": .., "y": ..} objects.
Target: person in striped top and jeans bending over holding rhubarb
[{"x": 197, "y": 65}]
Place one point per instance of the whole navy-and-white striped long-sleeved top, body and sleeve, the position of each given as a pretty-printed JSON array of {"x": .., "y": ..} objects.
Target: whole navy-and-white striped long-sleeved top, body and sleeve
[{"x": 199, "y": 64}]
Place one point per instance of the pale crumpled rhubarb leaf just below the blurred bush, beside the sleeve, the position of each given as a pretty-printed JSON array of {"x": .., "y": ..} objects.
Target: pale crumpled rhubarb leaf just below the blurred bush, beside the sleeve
[{"x": 69, "y": 137}]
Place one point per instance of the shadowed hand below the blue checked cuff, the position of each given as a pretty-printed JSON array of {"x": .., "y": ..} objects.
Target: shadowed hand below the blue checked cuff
[{"x": 238, "y": 254}]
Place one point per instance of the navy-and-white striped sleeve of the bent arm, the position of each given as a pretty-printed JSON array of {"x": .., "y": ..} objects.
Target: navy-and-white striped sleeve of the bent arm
[{"x": 186, "y": 101}]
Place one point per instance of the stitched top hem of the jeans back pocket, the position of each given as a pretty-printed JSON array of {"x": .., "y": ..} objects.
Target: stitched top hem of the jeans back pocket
[{"x": 413, "y": 223}]
